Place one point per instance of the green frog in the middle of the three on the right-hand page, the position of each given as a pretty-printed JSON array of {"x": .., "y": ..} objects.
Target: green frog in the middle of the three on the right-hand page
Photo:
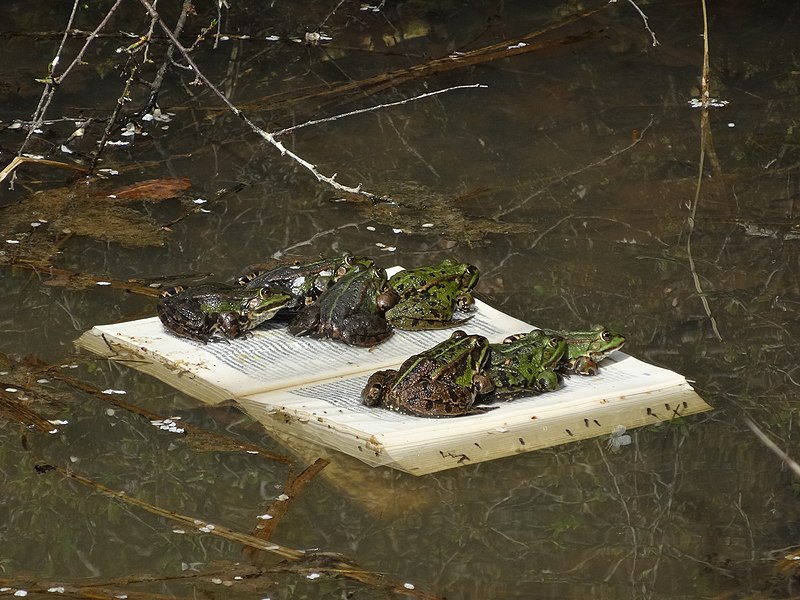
[{"x": 527, "y": 363}]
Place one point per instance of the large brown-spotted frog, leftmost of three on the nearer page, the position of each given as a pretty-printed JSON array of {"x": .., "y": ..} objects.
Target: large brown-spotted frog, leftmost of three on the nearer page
[{"x": 440, "y": 382}]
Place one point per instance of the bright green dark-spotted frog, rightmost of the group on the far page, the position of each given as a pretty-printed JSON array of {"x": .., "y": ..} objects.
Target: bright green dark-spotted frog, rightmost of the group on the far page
[{"x": 426, "y": 297}]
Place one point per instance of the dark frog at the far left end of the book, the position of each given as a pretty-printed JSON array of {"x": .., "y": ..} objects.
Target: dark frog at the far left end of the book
[{"x": 218, "y": 311}]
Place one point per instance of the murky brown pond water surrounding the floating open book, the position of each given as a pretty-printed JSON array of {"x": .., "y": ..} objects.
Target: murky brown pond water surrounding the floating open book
[{"x": 571, "y": 177}]
